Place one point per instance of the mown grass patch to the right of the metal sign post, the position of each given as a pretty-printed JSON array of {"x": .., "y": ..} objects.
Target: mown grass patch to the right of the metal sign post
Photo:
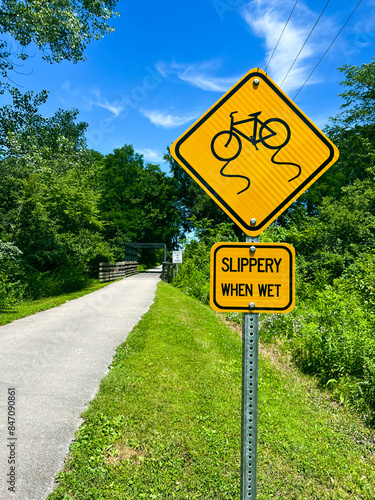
[{"x": 310, "y": 447}]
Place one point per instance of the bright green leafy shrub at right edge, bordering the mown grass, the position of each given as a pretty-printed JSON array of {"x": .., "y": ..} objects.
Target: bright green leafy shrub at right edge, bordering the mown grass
[{"x": 332, "y": 338}]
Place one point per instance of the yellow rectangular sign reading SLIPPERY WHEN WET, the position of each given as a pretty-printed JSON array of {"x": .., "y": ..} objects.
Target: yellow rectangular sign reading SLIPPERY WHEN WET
[{"x": 252, "y": 277}]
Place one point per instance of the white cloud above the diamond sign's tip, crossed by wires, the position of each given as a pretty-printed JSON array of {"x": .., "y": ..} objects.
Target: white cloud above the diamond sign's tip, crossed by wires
[{"x": 267, "y": 18}]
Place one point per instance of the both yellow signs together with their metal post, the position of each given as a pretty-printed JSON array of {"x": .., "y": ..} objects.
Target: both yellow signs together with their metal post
[{"x": 254, "y": 152}]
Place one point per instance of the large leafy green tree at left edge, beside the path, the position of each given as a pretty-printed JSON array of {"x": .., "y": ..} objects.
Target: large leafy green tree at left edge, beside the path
[{"x": 48, "y": 196}]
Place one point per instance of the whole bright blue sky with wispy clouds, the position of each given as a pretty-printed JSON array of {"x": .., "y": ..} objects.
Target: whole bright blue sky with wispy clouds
[{"x": 167, "y": 62}]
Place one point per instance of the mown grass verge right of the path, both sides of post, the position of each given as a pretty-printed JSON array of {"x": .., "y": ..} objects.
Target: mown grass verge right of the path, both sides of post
[{"x": 166, "y": 421}]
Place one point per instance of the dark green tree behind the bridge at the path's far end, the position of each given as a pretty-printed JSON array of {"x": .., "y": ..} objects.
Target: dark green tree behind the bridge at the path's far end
[{"x": 139, "y": 202}]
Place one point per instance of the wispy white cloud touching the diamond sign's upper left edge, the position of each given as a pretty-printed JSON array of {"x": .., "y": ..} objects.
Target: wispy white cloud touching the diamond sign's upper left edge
[{"x": 199, "y": 75}]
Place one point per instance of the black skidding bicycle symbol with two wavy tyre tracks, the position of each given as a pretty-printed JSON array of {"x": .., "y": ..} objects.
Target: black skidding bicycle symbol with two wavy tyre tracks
[{"x": 227, "y": 145}]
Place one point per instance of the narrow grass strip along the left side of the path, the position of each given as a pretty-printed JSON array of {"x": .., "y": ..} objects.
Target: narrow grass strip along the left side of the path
[{"x": 29, "y": 308}]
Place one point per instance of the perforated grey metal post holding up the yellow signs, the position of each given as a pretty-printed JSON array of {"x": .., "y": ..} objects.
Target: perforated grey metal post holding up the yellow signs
[{"x": 249, "y": 434}]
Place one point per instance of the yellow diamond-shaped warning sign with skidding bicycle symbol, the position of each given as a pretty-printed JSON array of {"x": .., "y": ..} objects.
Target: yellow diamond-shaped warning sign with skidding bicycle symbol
[{"x": 254, "y": 152}]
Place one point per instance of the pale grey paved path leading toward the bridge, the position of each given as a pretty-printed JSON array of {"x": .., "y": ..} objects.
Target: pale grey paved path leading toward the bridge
[{"x": 51, "y": 365}]
